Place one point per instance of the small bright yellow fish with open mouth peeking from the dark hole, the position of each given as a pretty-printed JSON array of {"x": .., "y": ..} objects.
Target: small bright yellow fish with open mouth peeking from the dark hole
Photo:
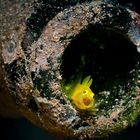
[{"x": 81, "y": 94}]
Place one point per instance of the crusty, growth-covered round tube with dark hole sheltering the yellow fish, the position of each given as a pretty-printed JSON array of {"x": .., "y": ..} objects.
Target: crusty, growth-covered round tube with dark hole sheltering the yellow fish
[{"x": 61, "y": 40}]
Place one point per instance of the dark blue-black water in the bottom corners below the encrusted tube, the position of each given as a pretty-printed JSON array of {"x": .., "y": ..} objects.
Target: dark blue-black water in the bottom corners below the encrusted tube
[{"x": 21, "y": 129}]
